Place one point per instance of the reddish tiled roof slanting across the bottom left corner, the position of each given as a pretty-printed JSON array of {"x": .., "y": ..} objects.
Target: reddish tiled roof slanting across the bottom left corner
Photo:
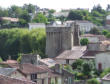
[{"x": 8, "y": 80}]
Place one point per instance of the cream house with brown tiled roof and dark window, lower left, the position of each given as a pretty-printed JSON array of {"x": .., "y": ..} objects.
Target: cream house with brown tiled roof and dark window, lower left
[{"x": 32, "y": 72}]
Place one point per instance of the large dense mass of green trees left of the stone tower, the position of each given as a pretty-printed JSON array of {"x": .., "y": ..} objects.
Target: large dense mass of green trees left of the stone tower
[{"x": 15, "y": 41}]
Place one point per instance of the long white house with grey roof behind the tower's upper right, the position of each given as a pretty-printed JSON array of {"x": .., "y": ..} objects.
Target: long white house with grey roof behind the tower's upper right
[{"x": 84, "y": 25}]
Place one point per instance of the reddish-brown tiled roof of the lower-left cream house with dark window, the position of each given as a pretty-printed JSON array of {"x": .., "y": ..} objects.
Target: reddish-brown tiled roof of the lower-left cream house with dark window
[{"x": 28, "y": 68}]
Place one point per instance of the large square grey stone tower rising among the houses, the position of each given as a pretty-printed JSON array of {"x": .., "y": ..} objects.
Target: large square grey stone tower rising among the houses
[{"x": 60, "y": 38}]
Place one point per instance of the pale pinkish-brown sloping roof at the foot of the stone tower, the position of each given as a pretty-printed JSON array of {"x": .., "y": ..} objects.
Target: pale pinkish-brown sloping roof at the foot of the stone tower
[{"x": 75, "y": 53}]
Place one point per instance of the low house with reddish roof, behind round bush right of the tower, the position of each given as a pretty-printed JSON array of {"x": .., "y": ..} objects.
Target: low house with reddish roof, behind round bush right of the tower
[{"x": 93, "y": 38}]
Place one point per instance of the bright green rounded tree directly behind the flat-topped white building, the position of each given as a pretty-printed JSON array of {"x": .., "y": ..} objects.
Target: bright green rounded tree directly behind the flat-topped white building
[{"x": 40, "y": 18}]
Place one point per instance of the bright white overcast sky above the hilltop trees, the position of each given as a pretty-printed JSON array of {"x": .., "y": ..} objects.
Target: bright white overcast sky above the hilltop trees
[{"x": 56, "y": 4}]
